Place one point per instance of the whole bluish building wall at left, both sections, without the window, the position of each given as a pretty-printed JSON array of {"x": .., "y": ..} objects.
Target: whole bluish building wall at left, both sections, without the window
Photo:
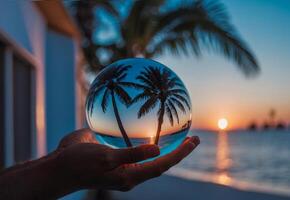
[{"x": 54, "y": 58}]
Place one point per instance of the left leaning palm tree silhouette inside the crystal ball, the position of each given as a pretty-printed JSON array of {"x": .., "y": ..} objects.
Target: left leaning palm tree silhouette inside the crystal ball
[{"x": 111, "y": 84}]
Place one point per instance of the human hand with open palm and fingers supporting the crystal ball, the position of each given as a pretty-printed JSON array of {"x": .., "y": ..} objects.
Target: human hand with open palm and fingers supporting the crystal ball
[{"x": 88, "y": 164}]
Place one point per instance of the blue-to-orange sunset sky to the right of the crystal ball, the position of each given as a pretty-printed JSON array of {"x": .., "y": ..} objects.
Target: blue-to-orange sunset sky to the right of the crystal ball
[{"x": 218, "y": 88}]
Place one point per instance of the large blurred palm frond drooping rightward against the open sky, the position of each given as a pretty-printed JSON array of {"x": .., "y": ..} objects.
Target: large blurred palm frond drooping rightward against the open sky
[{"x": 207, "y": 23}]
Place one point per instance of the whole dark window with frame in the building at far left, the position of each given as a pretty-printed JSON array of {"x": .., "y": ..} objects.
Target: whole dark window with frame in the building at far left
[{"x": 17, "y": 107}]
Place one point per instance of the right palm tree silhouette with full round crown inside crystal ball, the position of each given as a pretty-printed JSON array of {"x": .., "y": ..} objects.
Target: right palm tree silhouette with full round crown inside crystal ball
[{"x": 161, "y": 87}]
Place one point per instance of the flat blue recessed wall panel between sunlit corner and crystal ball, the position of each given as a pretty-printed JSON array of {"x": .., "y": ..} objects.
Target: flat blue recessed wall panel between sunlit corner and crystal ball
[{"x": 60, "y": 88}]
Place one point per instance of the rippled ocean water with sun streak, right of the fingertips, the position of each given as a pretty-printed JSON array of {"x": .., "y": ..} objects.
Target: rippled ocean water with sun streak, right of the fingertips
[{"x": 258, "y": 161}]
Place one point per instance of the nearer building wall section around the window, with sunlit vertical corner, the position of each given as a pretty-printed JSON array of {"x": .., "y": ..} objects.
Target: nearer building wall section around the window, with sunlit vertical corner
[{"x": 23, "y": 26}]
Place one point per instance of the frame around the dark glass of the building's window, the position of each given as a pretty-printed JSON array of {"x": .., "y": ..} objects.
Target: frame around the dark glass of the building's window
[{"x": 12, "y": 50}]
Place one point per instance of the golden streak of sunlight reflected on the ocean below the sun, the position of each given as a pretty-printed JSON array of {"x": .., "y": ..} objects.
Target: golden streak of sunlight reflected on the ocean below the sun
[{"x": 223, "y": 161}]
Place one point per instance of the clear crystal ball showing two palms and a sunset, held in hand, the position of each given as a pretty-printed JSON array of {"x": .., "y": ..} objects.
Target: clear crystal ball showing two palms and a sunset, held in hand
[{"x": 138, "y": 101}]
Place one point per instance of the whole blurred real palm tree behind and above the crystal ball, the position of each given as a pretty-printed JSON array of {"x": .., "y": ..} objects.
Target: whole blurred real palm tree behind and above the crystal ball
[{"x": 149, "y": 30}]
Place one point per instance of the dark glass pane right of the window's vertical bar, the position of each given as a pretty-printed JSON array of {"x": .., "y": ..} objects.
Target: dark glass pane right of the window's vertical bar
[{"x": 22, "y": 100}]
